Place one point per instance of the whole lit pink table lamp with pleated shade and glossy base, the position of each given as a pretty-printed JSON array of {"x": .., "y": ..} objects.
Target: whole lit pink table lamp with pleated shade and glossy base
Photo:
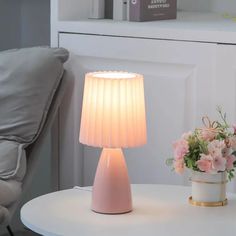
[{"x": 113, "y": 117}]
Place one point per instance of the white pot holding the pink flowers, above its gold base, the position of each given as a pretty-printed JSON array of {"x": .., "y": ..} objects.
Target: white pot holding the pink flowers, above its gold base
[{"x": 208, "y": 187}]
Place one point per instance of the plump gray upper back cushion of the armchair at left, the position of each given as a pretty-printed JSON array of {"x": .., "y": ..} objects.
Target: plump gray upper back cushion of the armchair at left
[{"x": 28, "y": 80}]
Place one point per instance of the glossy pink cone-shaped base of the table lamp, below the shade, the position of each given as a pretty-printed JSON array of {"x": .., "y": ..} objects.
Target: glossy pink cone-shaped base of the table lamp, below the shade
[{"x": 111, "y": 189}]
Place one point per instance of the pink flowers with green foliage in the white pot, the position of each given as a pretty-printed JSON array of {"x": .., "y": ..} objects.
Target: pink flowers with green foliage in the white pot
[{"x": 209, "y": 149}]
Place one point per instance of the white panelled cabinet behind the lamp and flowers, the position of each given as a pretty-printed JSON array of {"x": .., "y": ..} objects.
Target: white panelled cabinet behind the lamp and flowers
[{"x": 187, "y": 74}]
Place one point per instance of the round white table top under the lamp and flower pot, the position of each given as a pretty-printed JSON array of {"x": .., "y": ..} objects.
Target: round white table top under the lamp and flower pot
[{"x": 158, "y": 210}]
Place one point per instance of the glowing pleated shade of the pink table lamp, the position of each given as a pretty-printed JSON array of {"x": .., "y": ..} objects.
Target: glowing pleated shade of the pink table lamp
[{"x": 113, "y": 113}]
